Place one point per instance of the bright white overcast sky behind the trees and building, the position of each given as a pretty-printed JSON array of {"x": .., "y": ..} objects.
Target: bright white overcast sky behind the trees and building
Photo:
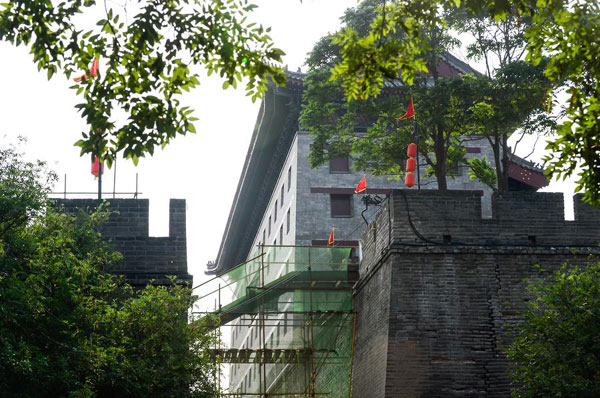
[{"x": 202, "y": 168}]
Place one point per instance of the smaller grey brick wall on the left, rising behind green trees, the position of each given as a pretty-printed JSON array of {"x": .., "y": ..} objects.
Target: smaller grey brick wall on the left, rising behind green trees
[{"x": 145, "y": 258}]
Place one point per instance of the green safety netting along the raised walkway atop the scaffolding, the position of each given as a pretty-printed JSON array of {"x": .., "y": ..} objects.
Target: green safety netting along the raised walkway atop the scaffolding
[{"x": 273, "y": 271}]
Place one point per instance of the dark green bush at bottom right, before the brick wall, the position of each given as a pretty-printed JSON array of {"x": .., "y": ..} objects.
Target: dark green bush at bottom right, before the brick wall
[{"x": 557, "y": 349}]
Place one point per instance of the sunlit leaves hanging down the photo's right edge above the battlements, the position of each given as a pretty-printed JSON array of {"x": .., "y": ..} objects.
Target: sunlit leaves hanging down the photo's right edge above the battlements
[{"x": 570, "y": 35}]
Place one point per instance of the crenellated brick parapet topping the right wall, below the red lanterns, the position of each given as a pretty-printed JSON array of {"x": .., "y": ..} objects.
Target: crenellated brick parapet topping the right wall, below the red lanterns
[{"x": 453, "y": 218}]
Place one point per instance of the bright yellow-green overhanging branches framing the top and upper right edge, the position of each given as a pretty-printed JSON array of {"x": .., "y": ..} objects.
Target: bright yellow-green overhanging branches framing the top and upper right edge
[{"x": 566, "y": 32}]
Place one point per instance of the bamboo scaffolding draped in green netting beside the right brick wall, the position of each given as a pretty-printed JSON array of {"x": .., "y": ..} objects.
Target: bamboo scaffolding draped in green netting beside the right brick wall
[{"x": 285, "y": 321}]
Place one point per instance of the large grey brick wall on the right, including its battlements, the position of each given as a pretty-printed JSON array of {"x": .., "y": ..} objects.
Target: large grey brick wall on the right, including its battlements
[{"x": 437, "y": 300}]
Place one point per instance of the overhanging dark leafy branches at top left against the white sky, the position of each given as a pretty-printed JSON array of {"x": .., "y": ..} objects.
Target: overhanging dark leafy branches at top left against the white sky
[{"x": 146, "y": 51}]
